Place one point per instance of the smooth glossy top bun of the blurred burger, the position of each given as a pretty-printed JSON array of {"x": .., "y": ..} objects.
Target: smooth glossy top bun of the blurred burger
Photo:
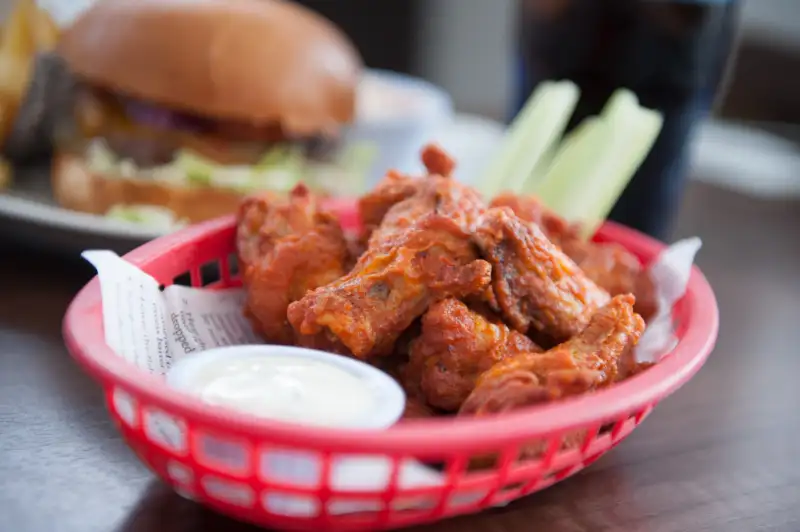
[{"x": 261, "y": 61}]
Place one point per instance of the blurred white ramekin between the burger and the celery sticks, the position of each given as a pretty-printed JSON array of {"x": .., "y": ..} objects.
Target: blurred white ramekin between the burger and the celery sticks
[{"x": 398, "y": 114}]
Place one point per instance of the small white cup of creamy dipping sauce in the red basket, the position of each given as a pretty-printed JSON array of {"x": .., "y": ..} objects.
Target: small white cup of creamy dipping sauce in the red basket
[{"x": 291, "y": 384}]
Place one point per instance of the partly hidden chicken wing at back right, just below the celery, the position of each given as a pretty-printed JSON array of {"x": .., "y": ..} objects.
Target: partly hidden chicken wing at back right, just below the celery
[{"x": 609, "y": 265}]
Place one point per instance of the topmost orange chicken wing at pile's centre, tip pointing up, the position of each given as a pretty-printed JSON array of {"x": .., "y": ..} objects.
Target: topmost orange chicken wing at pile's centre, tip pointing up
[{"x": 420, "y": 253}]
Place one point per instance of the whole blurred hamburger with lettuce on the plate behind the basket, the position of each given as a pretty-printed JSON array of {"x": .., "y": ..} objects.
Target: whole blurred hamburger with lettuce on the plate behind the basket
[{"x": 184, "y": 106}]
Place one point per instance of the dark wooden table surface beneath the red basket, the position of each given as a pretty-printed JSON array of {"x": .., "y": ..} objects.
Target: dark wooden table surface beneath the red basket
[{"x": 719, "y": 455}]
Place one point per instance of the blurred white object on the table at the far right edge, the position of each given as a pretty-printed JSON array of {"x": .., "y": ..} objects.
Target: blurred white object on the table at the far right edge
[{"x": 746, "y": 159}]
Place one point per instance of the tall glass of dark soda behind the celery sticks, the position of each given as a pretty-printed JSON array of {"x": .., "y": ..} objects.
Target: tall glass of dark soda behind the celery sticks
[{"x": 672, "y": 53}]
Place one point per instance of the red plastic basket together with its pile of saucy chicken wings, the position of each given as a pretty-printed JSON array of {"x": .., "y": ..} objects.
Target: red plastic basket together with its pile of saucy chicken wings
[{"x": 515, "y": 343}]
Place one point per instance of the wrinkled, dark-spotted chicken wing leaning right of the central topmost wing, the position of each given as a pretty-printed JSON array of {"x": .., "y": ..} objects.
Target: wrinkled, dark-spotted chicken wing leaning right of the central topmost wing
[{"x": 537, "y": 287}]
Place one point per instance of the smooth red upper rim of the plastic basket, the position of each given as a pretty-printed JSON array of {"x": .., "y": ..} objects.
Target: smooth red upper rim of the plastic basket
[{"x": 84, "y": 337}]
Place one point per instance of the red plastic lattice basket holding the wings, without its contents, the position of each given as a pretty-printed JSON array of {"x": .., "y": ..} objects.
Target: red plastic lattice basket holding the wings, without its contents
[{"x": 247, "y": 491}]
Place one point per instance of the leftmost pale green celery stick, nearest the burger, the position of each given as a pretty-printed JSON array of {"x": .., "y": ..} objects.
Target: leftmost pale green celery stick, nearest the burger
[{"x": 538, "y": 127}]
